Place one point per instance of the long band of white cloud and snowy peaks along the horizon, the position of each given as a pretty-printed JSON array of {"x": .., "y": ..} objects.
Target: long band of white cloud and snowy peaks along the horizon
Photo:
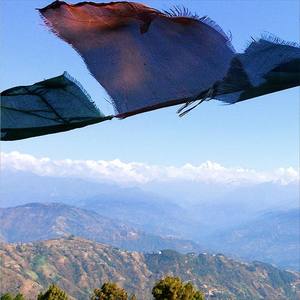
[{"x": 140, "y": 173}]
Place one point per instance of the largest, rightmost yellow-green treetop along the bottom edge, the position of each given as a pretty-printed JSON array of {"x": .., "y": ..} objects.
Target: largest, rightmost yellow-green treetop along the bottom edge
[{"x": 172, "y": 288}]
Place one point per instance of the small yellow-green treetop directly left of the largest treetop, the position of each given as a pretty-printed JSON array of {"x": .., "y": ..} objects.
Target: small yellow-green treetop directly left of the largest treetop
[{"x": 109, "y": 291}]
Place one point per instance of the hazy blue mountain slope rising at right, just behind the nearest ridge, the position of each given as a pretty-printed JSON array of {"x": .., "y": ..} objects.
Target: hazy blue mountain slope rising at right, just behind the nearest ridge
[{"x": 273, "y": 237}]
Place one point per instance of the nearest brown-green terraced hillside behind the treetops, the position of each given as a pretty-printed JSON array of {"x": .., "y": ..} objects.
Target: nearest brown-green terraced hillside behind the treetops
[{"x": 79, "y": 265}]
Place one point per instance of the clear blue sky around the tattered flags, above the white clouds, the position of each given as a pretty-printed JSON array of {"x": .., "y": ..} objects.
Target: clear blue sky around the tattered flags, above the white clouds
[{"x": 261, "y": 133}]
